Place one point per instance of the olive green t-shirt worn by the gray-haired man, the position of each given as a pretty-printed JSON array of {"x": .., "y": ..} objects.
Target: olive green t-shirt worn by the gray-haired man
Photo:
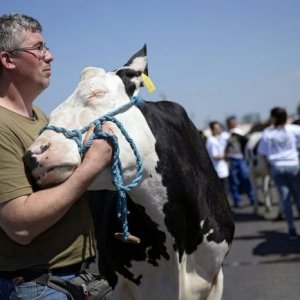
[{"x": 67, "y": 242}]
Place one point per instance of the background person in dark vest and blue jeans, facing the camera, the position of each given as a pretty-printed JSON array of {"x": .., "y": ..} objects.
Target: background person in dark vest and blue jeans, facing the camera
[{"x": 238, "y": 169}]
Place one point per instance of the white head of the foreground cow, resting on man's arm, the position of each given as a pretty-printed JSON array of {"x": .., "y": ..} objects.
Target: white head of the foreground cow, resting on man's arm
[{"x": 52, "y": 158}]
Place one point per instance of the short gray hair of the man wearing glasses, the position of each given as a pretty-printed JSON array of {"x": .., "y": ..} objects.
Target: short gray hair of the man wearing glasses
[{"x": 12, "y": 27}]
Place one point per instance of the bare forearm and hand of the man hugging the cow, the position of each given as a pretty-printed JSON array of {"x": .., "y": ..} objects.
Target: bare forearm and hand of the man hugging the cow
[{"x": 25, "y": 217}]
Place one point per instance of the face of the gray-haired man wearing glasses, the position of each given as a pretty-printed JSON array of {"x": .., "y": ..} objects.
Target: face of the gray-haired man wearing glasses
[{"x": 33, "y": 66}]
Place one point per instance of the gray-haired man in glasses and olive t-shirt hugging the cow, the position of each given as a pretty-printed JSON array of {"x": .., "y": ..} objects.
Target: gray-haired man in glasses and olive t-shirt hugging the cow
[{"x": 45, "y": 230}]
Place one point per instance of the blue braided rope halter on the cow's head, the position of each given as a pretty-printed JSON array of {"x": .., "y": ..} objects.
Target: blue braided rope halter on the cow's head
[{"x": 117, "y": 174}]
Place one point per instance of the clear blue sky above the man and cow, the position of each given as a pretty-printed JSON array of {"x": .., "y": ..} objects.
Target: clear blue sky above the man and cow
[{"x": 215, "y": 57}]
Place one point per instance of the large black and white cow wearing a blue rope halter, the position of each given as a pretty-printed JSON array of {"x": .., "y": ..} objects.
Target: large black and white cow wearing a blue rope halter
[{"x": 178, "y": 210}]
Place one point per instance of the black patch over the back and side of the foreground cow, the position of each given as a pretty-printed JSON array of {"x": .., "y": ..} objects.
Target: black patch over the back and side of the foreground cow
[{"x": 194, "y": 189}]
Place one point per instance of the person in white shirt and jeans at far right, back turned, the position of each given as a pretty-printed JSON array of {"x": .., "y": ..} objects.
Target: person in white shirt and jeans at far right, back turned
[{"x": 279, "y": 145}]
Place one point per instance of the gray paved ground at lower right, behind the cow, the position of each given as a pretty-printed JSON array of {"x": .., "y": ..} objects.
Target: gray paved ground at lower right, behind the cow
[{"x": 263, "y": 263}]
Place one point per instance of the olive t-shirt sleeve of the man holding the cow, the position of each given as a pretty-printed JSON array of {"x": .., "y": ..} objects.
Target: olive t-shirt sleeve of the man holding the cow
[{"x": 13, "y": 179}]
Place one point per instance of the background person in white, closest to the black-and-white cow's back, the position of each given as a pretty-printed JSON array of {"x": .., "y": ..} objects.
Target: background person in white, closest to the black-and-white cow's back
[{"x": 215, "y": 145}]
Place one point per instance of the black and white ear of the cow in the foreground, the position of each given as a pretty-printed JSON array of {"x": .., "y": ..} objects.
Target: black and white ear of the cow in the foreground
[{"x": 131, "y": 72}]
